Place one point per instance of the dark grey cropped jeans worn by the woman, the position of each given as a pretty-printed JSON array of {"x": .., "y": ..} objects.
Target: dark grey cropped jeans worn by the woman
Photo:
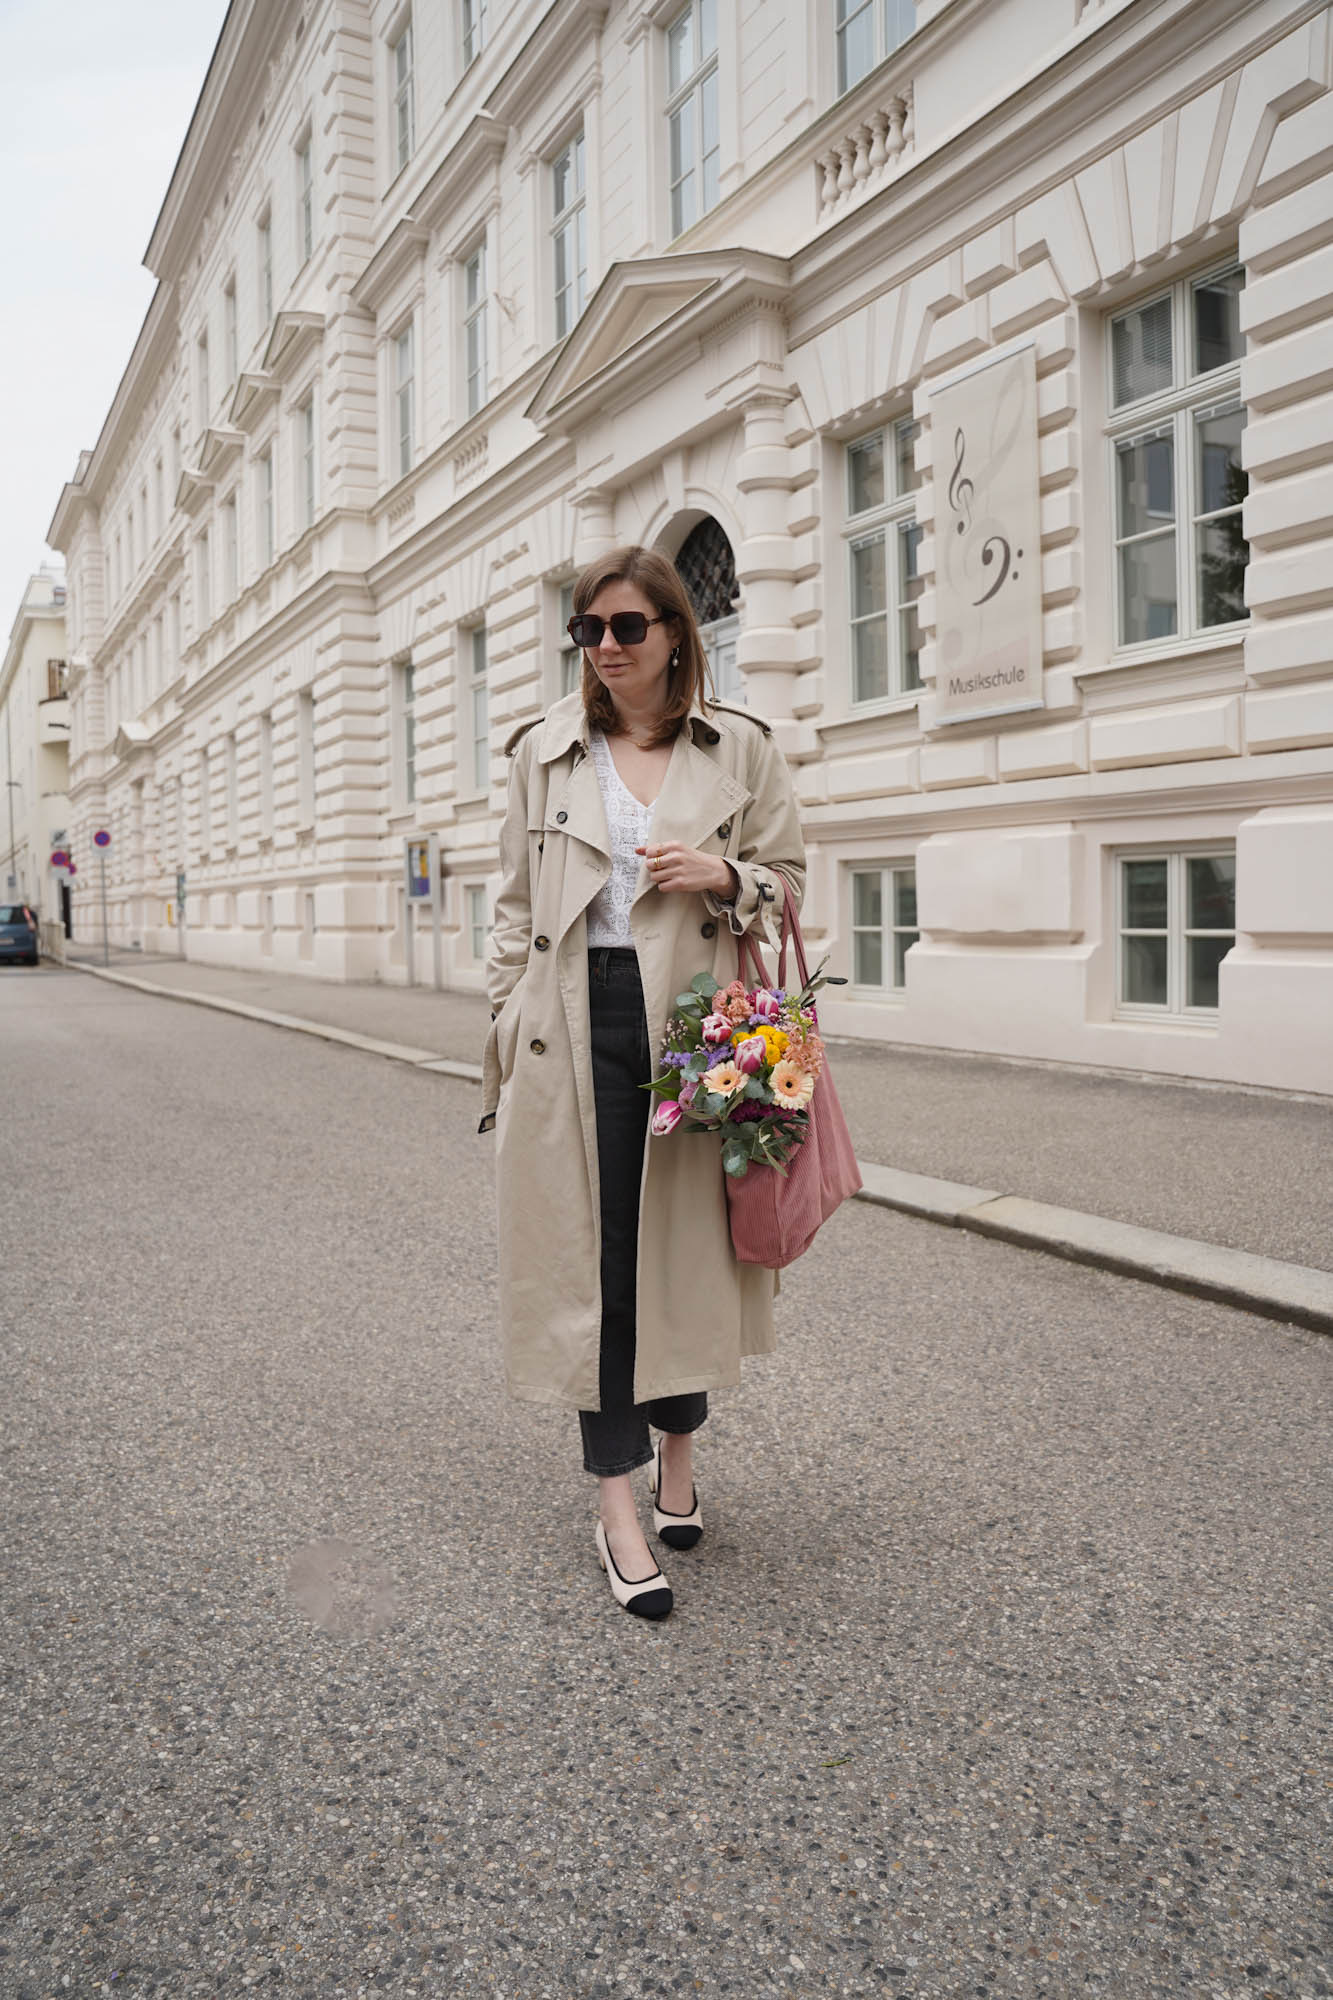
[{"x": 615, "y": 1439}]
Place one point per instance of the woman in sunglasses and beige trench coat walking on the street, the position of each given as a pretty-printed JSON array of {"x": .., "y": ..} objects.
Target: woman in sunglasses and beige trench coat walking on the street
[{"x": 645, "y": 833}]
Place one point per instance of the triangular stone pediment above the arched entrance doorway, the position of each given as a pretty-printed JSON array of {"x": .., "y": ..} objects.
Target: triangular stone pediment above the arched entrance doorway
[{"x": 641, "y": 313}]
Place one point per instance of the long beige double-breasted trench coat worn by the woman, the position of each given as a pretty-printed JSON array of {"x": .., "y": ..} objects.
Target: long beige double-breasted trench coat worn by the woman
[{"x": 728, "y": 791}]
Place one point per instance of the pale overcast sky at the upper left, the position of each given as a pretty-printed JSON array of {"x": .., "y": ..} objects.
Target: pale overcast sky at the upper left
[{"x": 97, "y": 107}]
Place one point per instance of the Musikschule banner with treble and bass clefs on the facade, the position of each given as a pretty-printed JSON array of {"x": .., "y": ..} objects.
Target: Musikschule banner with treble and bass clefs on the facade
[{"x": 988, "y": 541}]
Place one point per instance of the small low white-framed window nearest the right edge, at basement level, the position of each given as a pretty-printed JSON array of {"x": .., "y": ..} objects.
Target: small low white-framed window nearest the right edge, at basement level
[{"x": 1176, "y": 925}]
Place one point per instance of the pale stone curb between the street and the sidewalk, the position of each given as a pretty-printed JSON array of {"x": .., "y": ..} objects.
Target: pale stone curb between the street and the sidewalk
[{"x": 1270, "y": 1287}]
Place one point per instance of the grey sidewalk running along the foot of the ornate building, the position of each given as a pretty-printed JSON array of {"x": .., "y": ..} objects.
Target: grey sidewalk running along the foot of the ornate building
[{"x": 1238, "y": 1171}]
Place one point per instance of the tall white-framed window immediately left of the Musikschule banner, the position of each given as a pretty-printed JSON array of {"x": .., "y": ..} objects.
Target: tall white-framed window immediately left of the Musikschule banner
[{"x": 882, "y": 551}]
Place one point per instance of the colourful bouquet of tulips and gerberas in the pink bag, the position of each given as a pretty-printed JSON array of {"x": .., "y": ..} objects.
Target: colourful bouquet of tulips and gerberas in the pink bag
[{"x": 744, "y": 1063}]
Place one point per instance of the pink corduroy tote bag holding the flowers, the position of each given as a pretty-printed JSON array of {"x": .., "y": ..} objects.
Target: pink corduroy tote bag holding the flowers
[{"x": 774, "y": 1217}]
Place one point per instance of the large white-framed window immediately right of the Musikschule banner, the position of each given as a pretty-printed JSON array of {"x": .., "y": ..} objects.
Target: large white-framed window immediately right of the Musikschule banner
[{"x": 1176, "y": 441}]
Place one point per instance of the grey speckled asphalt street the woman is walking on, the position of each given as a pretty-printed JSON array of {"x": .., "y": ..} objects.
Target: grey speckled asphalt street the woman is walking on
[{"x": 1002, "y": 1669}]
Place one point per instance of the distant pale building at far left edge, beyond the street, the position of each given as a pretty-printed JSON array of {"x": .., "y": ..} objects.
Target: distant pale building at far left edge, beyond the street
[{"x": 35, "y": 755}]
